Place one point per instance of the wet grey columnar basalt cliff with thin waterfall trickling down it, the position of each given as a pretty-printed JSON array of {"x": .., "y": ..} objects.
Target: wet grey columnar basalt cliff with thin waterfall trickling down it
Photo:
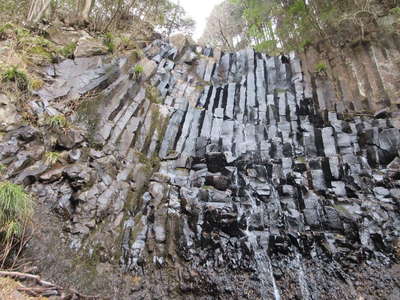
[{"x": 210, "y": 175}]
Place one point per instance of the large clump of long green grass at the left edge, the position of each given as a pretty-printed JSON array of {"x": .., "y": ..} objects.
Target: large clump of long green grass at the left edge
[{"x": 16, "y": 207}]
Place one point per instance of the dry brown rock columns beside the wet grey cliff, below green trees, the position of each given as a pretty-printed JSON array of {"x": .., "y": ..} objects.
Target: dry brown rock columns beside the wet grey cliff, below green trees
[{"x": 362, "y": 77}]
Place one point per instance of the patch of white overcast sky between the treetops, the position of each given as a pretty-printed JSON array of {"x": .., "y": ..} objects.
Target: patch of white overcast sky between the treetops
[{"x": 199, "y": 10}]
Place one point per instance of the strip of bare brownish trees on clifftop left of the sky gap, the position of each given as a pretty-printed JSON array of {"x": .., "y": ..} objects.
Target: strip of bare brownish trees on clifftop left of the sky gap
[{"x": 100, "y": 15}]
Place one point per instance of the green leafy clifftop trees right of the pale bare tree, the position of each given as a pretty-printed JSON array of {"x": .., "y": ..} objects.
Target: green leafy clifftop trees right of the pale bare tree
[{"x": 296, "y": 24}]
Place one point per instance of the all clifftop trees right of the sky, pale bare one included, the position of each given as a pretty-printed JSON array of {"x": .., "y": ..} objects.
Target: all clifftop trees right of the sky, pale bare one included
[{"x": 276, "y": 25}]
